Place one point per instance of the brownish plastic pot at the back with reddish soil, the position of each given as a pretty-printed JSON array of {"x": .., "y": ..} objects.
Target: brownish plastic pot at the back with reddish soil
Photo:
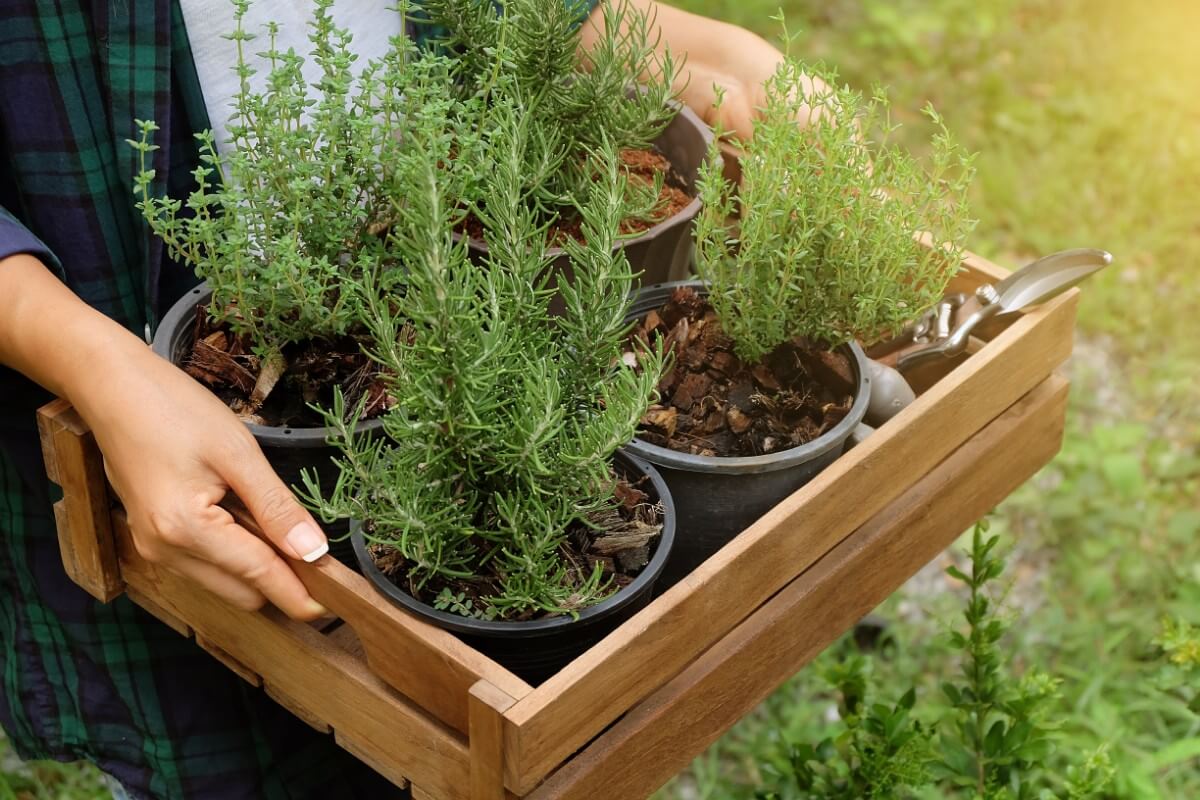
[{"x": 664, "y": 252}]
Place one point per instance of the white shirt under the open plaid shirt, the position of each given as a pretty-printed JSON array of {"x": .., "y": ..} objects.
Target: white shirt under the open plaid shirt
[{"x": 370, "y": 22}]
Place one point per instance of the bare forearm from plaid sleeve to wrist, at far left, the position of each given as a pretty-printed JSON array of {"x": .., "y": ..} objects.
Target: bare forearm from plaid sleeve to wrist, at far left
[{"x": 52, "y": 336}]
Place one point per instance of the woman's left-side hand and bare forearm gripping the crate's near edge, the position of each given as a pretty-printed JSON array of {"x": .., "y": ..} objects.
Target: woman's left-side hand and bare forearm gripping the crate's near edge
[{"x": 172, "y": 449}]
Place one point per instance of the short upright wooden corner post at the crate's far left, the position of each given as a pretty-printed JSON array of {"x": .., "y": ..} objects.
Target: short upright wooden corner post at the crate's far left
[{"x": 86, "y": 536}]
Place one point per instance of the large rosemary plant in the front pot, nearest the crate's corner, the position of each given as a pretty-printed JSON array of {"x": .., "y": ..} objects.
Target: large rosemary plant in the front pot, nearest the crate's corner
[{"x": 506, "y": 417}]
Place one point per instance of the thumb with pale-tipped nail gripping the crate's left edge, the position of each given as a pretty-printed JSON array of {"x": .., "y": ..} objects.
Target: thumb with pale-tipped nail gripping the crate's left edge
[{"x": 274, "y": 508}]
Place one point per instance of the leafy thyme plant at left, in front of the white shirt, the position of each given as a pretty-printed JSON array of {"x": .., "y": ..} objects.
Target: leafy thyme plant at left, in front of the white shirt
[{"x": 293, "y": 212}]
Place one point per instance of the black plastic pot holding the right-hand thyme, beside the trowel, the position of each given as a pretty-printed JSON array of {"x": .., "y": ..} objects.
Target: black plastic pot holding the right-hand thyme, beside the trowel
[{"x": 716, "y": 497}]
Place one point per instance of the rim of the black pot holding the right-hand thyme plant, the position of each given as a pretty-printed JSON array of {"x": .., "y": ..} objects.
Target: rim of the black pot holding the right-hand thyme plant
[{"x": 782, "y": 460}]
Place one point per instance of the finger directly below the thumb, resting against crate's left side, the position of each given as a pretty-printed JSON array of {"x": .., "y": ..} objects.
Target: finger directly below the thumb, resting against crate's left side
[{"x": 242, "y": 556}]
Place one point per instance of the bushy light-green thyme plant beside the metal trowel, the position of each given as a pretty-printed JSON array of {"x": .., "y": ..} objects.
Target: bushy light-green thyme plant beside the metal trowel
[{"x": 819, "y": 239}]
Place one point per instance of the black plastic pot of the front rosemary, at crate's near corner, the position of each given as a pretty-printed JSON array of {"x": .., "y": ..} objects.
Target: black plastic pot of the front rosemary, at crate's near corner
[{"x": 537, "y": 649}]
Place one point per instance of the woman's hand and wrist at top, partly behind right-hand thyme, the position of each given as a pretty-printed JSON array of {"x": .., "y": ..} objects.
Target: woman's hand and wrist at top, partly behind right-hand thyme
[{"x": 718, "y": 56}]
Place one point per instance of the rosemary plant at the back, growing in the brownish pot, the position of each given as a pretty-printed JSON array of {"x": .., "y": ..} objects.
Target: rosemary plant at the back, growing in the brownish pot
[{"x": 620, "y": 94}]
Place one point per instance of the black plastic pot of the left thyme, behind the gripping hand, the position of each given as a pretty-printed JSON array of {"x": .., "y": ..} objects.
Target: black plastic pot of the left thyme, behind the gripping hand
[{"x": 289, "y": 450}]
